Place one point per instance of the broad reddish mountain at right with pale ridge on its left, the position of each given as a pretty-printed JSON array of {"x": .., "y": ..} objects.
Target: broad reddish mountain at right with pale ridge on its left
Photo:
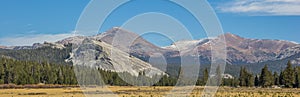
[{"x": 240, "y": 50}]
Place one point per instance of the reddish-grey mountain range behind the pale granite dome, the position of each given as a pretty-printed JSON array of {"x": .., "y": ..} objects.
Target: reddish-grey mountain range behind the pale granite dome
[{"x": 239, "y": 50}]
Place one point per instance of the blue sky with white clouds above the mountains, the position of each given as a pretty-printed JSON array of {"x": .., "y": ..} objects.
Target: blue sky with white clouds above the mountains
[{"x": 24, "y": 22}]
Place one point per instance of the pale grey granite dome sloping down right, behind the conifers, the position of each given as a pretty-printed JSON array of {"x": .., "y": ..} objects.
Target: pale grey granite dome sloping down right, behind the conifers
[{"x": 103, "y": 55}]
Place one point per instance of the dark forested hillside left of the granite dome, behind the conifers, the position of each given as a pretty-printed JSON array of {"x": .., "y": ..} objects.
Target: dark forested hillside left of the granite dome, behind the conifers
[{"x": 42, "y": 54}]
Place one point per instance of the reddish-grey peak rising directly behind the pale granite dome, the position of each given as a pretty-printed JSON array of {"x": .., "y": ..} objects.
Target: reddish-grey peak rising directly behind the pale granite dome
[{"x": 129, "y": 42}]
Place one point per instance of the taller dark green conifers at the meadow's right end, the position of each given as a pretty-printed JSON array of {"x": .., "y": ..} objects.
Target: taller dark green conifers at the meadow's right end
[{"x": 287, "y": 78}]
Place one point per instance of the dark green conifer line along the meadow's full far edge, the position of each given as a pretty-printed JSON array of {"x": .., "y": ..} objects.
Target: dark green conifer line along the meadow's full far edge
[{"x": 30, "y": 72}]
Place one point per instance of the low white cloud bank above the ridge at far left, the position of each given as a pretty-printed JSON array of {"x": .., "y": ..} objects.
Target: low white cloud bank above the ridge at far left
[{"x": 30, "y": 39}]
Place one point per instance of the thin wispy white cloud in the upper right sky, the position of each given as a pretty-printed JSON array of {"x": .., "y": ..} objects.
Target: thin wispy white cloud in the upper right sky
[{"x": 261, "y": 7}]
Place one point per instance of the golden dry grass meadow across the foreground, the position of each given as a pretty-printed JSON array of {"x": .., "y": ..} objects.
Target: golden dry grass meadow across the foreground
[{"x": 146, "y": 92}]
